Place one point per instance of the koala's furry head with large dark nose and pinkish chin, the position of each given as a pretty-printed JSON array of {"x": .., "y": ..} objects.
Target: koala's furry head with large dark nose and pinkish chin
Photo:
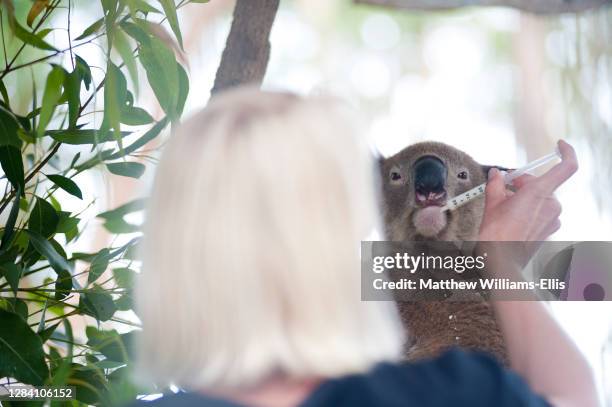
[{"x": 425, "y": 175}]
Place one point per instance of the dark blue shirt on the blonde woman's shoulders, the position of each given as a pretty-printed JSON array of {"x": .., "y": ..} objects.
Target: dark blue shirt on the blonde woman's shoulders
[{"x": 455, "y": 379}]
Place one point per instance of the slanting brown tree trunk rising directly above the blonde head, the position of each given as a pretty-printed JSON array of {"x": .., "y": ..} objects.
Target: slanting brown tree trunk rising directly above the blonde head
[{"x": 247, "y": 49}]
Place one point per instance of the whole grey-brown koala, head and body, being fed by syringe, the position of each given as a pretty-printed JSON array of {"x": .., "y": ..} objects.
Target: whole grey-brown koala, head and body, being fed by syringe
[{"x": 416, "y": 182}]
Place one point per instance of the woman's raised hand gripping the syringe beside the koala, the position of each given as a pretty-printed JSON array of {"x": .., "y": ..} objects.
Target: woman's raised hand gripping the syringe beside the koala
[{"x": 532, "y": 212}]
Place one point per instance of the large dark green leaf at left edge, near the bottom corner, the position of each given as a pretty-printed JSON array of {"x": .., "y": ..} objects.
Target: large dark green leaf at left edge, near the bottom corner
[{"x": 22, "y": 351}]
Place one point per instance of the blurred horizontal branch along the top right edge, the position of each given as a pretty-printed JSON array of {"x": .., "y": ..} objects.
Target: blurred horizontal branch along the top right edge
[{"x": 533, "y": 6}]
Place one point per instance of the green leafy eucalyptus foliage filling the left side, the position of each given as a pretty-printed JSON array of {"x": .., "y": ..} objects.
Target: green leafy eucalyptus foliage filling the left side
[{"x": 41, "y": 153}]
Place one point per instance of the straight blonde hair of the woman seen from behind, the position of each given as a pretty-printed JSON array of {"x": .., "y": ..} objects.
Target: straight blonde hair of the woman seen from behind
[{"x": 251, "y": 252}]
